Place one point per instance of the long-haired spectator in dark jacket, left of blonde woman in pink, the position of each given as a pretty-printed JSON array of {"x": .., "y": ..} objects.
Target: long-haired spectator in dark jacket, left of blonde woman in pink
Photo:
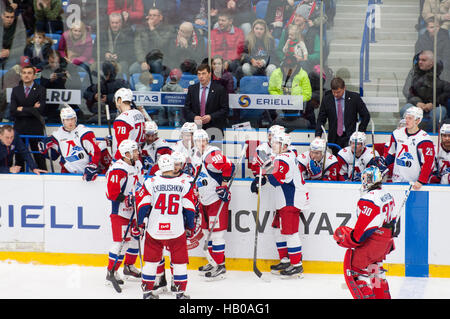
[{"x": 38, "y": 48}]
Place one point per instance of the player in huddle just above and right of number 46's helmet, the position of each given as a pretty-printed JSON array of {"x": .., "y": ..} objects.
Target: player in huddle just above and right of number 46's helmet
[{"x": 186, "y": 146}]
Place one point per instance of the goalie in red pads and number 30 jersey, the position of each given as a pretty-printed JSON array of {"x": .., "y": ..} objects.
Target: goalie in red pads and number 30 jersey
[{"x": 370, "y": 241}]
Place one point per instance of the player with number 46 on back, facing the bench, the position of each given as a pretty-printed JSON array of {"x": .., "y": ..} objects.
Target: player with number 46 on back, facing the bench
[{"x": 168, "y": 201}]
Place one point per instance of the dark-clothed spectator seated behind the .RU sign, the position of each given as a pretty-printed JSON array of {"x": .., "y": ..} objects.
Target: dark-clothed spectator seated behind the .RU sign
[{"x": 60, "y": 74}]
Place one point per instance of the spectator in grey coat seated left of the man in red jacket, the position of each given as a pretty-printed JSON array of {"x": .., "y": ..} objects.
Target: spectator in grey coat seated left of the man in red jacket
[{"x": 188, "y": 44}]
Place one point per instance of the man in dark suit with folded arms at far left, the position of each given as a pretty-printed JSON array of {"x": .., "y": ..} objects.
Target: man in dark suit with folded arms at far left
[{"x": 27, "y": 107}]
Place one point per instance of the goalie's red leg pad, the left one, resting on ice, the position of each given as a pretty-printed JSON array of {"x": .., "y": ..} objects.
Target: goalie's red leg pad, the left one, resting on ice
[{"x": 358, "y": 288}]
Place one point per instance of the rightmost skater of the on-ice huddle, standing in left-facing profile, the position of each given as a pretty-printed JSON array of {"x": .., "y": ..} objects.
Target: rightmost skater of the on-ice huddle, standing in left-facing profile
[{"x": 291, "y": 198}]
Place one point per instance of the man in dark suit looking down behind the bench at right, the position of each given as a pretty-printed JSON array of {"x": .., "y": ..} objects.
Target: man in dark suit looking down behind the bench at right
[{"x": 341, "y": 108}]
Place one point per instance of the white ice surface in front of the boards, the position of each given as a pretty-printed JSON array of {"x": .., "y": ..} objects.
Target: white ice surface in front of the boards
[{"x": 29, "y": 281}]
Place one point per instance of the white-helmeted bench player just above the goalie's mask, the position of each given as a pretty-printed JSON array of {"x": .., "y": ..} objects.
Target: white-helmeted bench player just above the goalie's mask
[{"x": 357, "y": 152}]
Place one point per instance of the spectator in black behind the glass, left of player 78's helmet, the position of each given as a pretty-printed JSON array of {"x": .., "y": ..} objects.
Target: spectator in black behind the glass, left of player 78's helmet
[{"x": 109, "y": 84}]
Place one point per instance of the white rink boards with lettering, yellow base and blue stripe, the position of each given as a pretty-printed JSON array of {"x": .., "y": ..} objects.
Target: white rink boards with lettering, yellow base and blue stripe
[{"x": 60, "y": 219}]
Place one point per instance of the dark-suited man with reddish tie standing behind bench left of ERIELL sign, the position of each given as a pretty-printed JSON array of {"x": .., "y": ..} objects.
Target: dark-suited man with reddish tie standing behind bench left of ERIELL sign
[{"x": 206, "y": 103}]
